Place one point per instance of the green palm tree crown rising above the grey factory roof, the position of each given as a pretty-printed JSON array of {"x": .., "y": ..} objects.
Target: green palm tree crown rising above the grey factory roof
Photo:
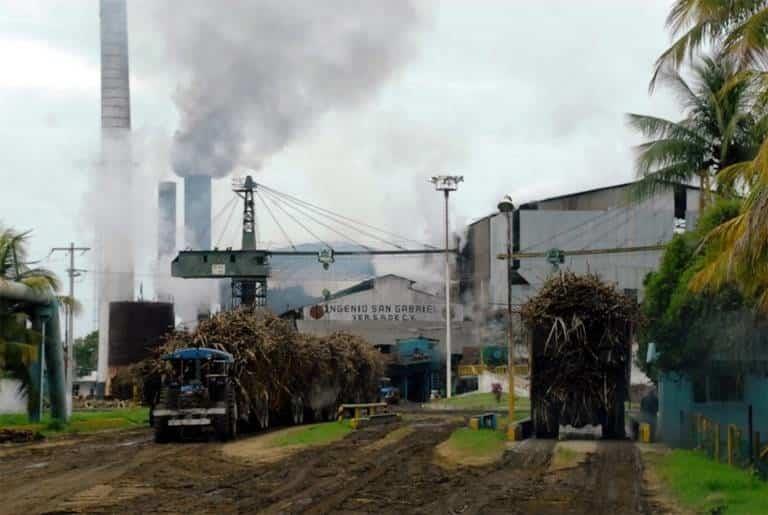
[{"x": 722, "y": 125}]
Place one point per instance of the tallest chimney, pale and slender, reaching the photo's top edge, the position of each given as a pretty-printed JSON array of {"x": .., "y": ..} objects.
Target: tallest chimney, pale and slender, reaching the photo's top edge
[{"x": 113, "y": 226}]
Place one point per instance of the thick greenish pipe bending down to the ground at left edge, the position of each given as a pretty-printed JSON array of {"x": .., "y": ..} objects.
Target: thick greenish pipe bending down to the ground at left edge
[{"x": 44, "y": 311}]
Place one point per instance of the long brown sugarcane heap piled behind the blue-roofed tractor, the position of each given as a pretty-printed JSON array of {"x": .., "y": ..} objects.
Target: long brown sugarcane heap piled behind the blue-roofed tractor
[{"x": 275, "y": 366}]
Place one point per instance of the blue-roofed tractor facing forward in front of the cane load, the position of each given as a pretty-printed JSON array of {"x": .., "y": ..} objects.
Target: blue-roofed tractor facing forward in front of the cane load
[{"x": 196, "y": 395}]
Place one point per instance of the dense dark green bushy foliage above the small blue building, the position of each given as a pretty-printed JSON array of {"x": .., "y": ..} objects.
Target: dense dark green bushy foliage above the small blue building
[{"x": 689, "y": 328}]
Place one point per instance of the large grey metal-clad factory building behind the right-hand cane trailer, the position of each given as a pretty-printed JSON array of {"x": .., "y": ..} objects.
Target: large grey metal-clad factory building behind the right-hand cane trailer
[{"x": 600, "y": 231}]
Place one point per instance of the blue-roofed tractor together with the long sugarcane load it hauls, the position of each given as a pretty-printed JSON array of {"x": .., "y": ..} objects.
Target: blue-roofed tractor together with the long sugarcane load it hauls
[{"x": 248, "y": 369}]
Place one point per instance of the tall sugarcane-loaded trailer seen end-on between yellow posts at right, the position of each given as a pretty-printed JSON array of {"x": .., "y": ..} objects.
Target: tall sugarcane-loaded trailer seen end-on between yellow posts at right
[{"x": 580, "y": 331}]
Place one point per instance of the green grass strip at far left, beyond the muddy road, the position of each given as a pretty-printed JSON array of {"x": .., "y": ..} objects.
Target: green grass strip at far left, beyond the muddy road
[{"x": 85, "y": 421}]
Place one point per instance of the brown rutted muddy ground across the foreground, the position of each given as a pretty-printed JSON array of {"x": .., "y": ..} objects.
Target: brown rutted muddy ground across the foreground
[{"x": 367, "y": 472}]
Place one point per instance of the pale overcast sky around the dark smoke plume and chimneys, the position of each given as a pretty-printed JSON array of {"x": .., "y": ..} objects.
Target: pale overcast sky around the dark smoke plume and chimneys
[{"x": 520, "y": 97}]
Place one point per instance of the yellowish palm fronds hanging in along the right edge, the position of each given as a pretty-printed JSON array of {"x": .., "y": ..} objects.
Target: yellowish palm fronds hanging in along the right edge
[{"x": 740, "y": 29}]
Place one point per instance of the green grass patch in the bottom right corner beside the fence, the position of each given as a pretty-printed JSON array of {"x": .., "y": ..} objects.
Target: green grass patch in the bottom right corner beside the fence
[{"x": 703, "y": 485}]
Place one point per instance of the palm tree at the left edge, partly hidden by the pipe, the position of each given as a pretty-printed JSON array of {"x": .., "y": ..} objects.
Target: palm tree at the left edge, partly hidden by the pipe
[{"x": 18, "y": 346}]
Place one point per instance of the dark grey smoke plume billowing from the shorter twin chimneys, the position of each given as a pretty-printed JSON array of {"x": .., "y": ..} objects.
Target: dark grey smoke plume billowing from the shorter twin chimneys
[{"x": 254, "y": 74}]
